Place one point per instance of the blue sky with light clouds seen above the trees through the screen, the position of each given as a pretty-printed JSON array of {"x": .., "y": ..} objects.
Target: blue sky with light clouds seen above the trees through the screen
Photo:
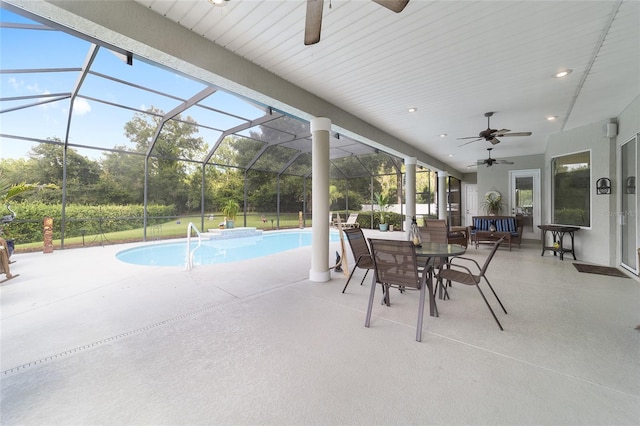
[{"x": 93, "y": 123}]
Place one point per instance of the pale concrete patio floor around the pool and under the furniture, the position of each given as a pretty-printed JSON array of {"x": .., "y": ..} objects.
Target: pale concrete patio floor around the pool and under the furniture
[{"x": 87, "y": 339}]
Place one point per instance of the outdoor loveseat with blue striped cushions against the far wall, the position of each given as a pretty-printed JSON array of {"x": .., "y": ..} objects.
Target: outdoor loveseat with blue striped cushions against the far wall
[{"x": 488, "y": 229}]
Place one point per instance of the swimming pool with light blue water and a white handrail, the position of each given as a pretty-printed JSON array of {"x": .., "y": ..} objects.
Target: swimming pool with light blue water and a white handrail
[{"x": 218, "y": 251}]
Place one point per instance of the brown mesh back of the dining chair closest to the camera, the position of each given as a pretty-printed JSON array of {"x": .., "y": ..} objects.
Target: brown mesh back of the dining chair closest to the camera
[{"x": 395, "y": 263}]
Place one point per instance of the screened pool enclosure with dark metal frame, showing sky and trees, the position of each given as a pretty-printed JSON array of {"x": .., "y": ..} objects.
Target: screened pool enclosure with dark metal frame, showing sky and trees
[{"x": 137, "y": 151}]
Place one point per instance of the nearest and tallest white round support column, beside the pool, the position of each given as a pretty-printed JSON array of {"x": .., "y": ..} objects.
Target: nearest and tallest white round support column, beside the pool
[{"x": 320, "y": 128}]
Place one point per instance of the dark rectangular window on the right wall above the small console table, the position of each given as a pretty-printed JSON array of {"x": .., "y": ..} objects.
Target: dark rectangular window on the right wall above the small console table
[{"x": 571, "y": 180}]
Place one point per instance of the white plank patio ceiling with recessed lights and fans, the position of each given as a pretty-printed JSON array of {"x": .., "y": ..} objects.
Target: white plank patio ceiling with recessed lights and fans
[{"x": 452, "y": 60}]
